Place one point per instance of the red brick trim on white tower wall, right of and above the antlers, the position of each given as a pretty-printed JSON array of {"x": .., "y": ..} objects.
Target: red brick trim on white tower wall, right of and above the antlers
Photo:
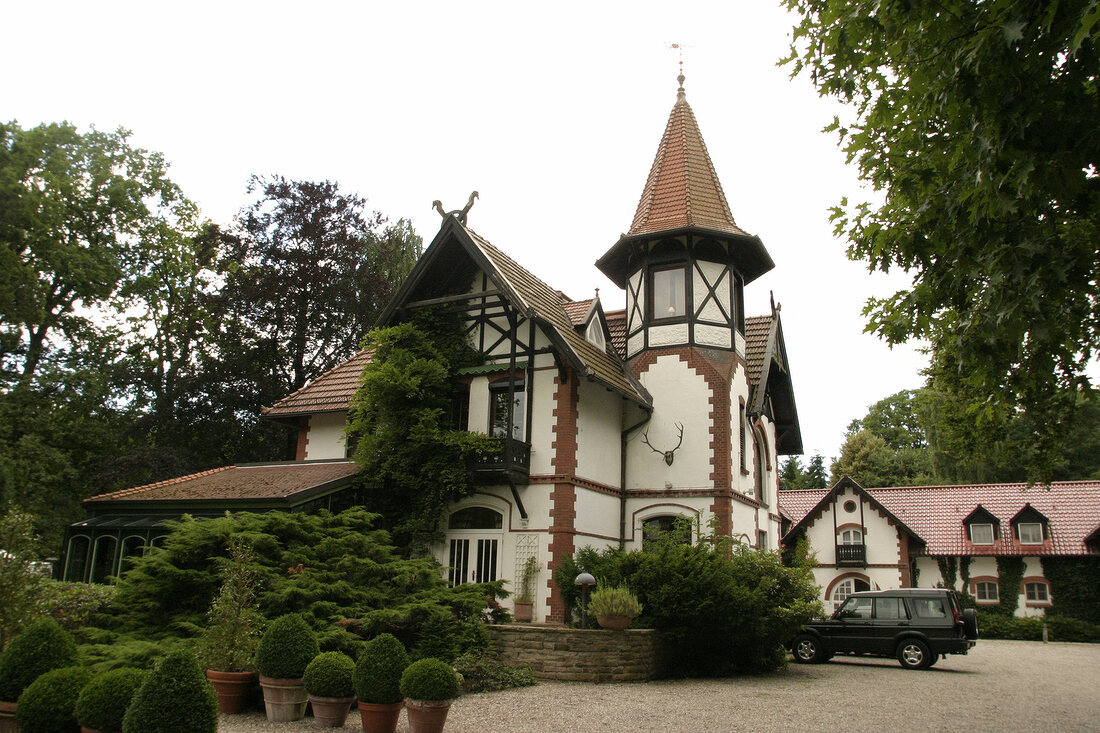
[{"x": 719, "y": 379}]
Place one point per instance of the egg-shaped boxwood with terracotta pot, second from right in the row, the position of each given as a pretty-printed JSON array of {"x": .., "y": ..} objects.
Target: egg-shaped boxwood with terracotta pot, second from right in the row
[{"x": 378, "y": 680}]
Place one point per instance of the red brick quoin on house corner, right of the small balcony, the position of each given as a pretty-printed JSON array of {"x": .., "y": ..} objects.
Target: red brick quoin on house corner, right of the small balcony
[{"x": 564, "y": 496}]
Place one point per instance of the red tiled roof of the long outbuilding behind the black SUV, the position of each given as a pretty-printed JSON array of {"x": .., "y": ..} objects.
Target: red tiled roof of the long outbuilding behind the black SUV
[{"x": 937, "y": 515}]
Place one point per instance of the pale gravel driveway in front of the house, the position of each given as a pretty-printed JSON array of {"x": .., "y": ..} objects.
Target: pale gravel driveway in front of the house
[{"x": 1005, "y": 686}]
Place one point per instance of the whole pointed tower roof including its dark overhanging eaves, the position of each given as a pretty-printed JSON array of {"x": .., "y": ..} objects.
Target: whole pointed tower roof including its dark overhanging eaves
[{"x": 684, "y": 194}]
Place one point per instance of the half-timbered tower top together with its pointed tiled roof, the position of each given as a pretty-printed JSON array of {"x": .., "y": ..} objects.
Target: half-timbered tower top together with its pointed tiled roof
[{"x": 685, "y": 261}]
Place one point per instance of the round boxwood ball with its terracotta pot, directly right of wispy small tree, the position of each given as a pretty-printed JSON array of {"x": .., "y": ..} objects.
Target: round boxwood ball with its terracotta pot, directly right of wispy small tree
[{"x": 287, "y": 649}]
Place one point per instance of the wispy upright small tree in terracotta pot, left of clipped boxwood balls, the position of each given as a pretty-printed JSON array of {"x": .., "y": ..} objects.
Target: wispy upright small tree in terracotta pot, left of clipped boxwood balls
[{"x": 228, "y": 648}]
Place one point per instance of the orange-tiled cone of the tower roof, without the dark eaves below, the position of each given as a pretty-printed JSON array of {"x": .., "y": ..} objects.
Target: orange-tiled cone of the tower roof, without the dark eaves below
[{"x": 684, "y": 189}]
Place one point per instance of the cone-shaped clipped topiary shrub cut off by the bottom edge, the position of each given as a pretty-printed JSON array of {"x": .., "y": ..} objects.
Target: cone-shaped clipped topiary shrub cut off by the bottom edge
[{"x": 177, "y": 698}]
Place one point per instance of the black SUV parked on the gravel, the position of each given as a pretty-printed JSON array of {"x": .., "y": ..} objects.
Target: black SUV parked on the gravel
[{"x": 916, "y": 626}]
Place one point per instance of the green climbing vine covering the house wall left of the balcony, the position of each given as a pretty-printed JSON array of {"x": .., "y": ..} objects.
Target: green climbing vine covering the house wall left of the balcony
[{"x": 409, "y": 451}]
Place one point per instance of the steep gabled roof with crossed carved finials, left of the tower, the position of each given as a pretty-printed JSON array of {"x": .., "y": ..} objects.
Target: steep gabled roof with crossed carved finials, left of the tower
[{"x": 526, "y": 293}]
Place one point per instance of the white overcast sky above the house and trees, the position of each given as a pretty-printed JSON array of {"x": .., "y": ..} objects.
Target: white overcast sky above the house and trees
[{"x": 552, "y": 113}]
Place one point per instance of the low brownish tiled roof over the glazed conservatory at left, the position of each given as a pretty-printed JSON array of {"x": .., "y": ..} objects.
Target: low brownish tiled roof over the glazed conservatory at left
[{"x": 237, "y": 483}]
